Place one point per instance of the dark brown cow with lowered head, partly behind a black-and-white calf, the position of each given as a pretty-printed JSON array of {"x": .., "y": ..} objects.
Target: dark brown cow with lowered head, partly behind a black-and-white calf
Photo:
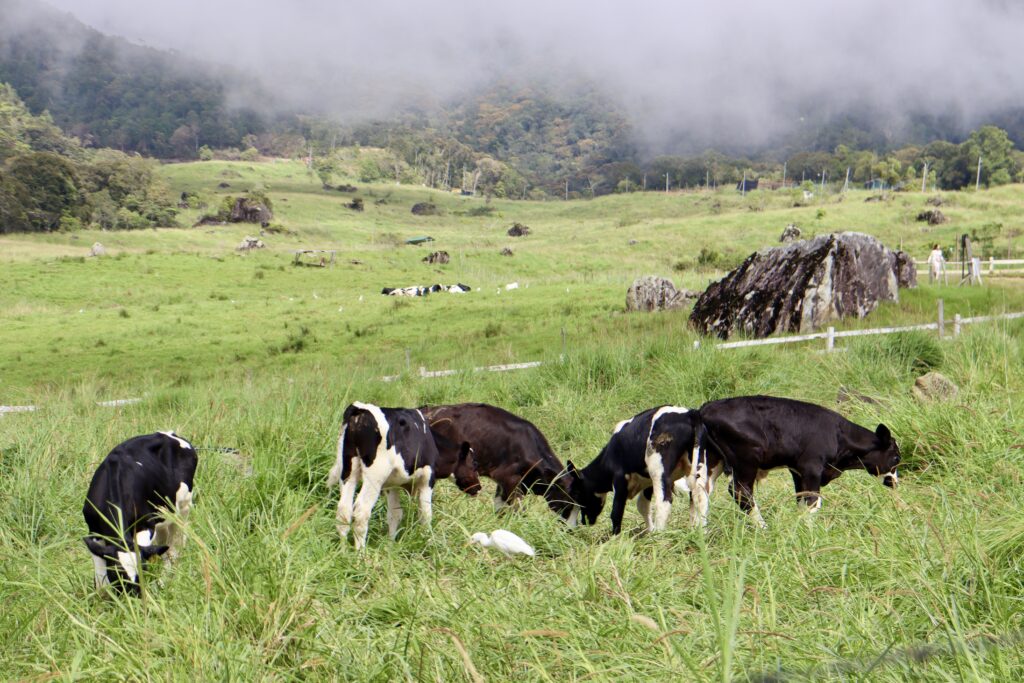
[{"x": 513, "y": 452}]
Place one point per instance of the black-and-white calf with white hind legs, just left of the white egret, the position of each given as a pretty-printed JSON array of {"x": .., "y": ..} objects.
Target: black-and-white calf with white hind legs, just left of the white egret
[{"x": 391, "y": 449}]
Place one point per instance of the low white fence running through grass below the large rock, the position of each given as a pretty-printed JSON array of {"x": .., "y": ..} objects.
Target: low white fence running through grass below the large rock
[{"x": 831, "y": 335}]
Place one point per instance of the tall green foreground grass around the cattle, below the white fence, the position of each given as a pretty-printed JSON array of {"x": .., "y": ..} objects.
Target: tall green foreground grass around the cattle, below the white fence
[{"x": 922, "y": 583}]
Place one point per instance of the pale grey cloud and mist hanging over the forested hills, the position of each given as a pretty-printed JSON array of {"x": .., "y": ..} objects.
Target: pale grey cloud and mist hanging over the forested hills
[{"x": 721, "y": 71}]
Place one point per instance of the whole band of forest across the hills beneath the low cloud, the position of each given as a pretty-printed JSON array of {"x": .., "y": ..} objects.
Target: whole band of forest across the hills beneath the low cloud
[{"x": 83, "y": 91}]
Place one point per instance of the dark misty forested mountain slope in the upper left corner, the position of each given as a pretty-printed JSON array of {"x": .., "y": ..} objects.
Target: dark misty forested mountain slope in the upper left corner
[{"x": 110, "y": 93}]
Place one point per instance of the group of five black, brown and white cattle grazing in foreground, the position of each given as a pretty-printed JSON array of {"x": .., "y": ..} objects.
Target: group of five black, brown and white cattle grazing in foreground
[{"x": 652, "y": 456}]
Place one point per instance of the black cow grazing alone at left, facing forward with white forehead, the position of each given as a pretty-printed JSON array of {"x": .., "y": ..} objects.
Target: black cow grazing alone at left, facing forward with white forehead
[{"x": 124, "y": 508}]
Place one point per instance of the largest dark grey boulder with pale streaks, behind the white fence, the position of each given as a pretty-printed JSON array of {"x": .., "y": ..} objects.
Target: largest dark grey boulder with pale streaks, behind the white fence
[{"x": 800, "y": 288}]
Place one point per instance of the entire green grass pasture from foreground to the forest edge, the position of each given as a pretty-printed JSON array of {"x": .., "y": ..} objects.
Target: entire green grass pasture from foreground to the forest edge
[{"x": 251, "y": 353}]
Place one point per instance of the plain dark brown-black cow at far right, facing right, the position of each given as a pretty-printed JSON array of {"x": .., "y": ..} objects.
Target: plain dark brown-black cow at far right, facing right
[{"x": 754, "y": 435}]
